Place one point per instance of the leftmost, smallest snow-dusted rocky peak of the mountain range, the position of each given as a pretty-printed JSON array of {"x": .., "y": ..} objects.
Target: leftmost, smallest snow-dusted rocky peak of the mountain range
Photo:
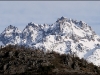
[{"x": 11, "y": 35}]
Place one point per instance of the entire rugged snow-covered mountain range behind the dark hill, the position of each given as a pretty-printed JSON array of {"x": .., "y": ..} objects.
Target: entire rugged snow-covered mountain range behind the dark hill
[{"x": 66, "y": 36}]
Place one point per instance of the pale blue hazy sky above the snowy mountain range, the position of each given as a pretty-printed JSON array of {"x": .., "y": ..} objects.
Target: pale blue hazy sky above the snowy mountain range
[{"x": 20, "y": 13}]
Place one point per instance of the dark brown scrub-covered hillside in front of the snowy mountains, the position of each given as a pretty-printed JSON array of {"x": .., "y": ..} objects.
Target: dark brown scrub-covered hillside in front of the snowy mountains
[{"x": 18, "y": 60}]
